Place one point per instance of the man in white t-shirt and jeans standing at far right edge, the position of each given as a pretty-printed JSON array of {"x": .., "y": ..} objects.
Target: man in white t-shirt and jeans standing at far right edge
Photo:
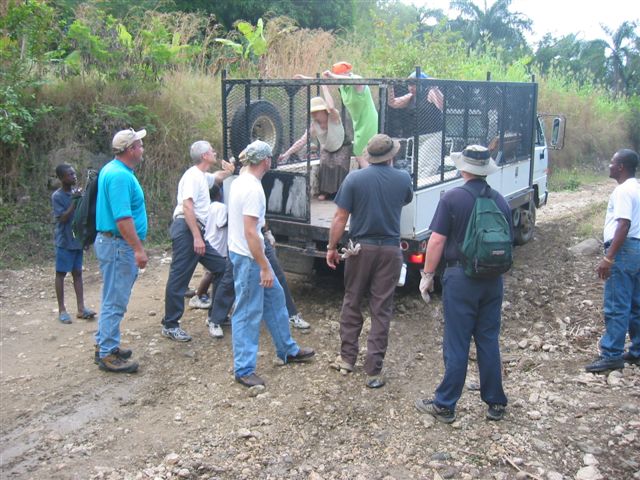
[{"x": 620, "y": 267}]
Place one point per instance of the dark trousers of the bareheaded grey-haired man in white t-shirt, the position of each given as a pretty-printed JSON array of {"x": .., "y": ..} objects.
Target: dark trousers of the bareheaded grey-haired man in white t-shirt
[{"x": 183, "y": 262}]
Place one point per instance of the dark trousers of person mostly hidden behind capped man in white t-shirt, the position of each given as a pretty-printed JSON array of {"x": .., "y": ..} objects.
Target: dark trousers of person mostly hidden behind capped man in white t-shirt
[{"x": 225, "y": 293}]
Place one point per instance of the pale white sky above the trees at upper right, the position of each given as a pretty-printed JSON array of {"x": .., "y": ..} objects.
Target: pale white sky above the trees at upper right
[{"x": 562, "y": 17}]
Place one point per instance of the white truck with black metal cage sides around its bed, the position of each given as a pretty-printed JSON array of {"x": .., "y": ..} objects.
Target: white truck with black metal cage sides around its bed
[{"x": 499, "y": 115}]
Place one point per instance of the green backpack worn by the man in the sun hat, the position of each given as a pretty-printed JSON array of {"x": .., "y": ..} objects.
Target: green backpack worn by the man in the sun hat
[{"x": 487, "y": 246}]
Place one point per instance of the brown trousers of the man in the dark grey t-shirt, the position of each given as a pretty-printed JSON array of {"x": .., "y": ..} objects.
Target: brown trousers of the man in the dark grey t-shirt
[{"x": 375, "y": 270}]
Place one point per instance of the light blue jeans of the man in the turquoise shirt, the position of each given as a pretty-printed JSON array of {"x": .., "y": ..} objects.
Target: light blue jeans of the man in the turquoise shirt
[{"x": 119, "y": 272}]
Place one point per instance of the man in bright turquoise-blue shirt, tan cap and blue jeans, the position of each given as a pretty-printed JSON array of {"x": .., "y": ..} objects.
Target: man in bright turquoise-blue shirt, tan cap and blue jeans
[{"x": 121, "y": 222}]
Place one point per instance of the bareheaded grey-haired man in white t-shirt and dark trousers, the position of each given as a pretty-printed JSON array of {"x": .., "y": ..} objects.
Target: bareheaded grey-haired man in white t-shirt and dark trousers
[{"x": 187, "y": 235}]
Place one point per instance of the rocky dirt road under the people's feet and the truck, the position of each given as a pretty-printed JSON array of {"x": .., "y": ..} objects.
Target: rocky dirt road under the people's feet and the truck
[{"x": 183, "y": 416}]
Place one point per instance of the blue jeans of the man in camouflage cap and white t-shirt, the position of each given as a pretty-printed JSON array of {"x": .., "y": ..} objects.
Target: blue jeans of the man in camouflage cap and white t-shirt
[{"x": 253, "y": 304}]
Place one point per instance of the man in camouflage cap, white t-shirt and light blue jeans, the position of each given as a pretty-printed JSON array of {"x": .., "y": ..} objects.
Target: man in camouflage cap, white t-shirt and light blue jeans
[{"x": 259, "y": 295}]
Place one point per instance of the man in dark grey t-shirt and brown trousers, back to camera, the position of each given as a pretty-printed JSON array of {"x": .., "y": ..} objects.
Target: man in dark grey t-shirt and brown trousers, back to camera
[{"x": 373, "y": 198}]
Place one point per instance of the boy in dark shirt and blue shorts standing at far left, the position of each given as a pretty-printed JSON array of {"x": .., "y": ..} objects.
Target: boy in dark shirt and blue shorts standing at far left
[{"x": 68, "y": 250}]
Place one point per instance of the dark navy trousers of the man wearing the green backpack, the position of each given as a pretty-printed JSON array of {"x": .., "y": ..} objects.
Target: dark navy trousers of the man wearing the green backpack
[{"x": 471, "y": 308}]
